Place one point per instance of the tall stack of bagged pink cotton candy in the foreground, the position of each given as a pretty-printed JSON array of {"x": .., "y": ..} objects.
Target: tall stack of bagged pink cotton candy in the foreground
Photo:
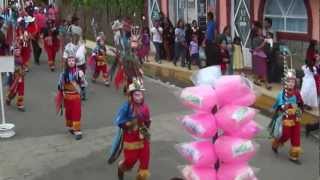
[{"x": 223, "y": 126}]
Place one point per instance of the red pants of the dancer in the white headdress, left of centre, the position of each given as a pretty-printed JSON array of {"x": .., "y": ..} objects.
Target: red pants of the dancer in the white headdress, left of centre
[{"x": 72, "y": 105}]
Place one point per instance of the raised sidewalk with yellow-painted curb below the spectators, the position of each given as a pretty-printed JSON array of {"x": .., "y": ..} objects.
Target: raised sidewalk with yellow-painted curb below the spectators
[{"x": 179, "y": 76}]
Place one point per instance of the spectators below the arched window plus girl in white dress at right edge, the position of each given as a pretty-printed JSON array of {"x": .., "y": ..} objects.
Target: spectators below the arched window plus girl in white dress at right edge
[{"x": 268, "y": 63}]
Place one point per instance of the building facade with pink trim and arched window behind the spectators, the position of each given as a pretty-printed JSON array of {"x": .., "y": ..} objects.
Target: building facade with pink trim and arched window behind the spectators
[{"x": 295, "y": 21}]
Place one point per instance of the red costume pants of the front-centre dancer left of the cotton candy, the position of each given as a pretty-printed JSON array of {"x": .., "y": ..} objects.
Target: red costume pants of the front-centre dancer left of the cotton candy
[{"x": 136, "y": 149}]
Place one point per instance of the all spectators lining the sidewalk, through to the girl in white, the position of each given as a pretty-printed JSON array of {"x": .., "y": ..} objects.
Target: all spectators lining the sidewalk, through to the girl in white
[{"x": 190, "y": 45}]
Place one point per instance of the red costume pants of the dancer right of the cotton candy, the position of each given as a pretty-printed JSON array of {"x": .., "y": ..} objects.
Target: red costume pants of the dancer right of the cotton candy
[{"x": 291, "y": 130}]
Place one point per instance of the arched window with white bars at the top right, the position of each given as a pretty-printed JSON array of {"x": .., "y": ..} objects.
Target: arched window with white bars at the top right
[{"x": 287, "y": 15}]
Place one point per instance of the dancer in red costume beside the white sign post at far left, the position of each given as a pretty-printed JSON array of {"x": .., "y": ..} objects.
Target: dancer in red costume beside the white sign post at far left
[{"x": 16, "y": 79}]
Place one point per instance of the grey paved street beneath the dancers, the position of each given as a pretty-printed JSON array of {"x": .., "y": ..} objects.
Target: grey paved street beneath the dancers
[{"x": 43, "y": 150}]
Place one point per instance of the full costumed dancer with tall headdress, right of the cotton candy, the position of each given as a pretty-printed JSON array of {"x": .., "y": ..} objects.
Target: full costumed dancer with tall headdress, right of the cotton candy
[{"x": 285, "y": 124}]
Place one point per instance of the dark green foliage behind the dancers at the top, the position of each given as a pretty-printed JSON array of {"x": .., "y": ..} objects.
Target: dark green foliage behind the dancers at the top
[{"x": 103, "y": 11}]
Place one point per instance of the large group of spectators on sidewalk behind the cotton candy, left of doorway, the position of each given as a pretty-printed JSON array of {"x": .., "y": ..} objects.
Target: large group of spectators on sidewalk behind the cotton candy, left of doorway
[{"x": 190, "y": 45}]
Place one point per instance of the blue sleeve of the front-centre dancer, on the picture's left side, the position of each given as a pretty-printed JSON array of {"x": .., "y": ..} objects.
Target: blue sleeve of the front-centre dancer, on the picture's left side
[{"x": 124, "y": 114}]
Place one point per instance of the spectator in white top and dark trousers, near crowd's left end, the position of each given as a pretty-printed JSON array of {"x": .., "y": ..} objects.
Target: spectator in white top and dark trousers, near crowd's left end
[{"x": 156, "y": 33}]
